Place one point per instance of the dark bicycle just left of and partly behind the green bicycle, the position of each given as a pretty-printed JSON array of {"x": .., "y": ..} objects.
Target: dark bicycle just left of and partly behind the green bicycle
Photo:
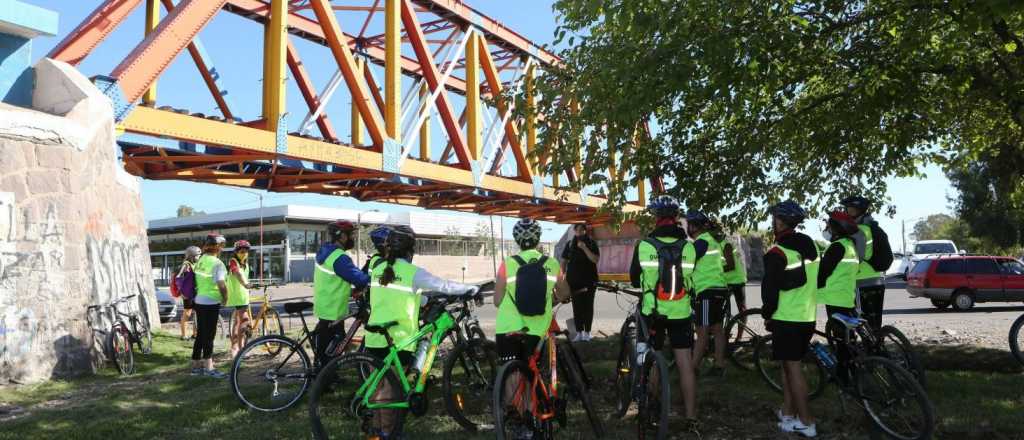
[{"x": 273, "y": 373}]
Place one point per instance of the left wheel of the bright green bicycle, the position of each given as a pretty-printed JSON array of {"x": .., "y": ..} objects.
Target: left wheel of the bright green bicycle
[{"x": 335, "y": 400}]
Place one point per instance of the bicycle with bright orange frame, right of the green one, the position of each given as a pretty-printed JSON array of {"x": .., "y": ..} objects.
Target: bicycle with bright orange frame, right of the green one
[{"x": 545, "y": 405}]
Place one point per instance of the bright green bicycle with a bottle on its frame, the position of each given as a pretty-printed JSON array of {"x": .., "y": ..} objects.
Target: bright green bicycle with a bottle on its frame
[{"x": 378, "y": 392}]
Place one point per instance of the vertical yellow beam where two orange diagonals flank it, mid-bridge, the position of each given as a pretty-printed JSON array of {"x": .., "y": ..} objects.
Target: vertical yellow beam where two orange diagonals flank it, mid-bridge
[{"x": 393, "y": 68}]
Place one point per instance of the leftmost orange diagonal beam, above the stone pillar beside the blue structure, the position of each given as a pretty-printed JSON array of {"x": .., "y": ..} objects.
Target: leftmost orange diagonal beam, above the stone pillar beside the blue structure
[{"x": 77, "y": 46}]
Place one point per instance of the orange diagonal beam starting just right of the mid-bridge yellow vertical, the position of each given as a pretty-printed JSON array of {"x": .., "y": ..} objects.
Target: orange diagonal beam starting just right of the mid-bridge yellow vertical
[{"x": 433, "y": 76}]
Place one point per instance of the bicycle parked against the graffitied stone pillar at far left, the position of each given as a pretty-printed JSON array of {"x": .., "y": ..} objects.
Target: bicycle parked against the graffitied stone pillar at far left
[{"x": 123, "y": 335}]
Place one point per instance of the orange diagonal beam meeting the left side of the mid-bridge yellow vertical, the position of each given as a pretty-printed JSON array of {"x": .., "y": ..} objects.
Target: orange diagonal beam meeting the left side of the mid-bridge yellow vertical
[{"x": 347, "y": 63}]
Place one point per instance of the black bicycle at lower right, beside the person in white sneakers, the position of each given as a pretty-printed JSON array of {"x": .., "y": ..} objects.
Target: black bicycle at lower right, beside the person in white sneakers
[{"x": 880, "y": 386}]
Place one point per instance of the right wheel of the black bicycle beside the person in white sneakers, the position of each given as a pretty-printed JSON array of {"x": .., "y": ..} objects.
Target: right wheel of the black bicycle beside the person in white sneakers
[{"x": 893, "y": 400}]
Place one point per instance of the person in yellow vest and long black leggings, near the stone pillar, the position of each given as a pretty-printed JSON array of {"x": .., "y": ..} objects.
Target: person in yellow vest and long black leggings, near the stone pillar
[{"x": 211, "y": 292}]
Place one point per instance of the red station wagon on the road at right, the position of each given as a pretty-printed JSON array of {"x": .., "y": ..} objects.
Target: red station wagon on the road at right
[{"x": 964, "y": 281}]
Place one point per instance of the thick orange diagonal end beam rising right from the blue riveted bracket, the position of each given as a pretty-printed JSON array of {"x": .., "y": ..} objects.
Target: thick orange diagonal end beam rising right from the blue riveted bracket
[{"x": 153, "y": 56}]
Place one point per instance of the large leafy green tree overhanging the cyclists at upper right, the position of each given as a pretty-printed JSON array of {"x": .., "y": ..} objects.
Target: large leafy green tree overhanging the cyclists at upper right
[{"x": 752, "y": 102}]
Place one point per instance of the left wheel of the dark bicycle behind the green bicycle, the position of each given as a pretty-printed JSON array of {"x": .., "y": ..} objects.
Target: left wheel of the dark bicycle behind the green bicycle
[{"x": 271, "y": 379}]
